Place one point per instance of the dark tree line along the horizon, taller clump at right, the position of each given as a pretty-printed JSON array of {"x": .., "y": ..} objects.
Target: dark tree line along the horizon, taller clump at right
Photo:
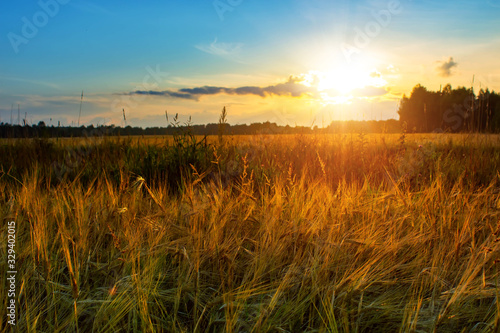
[{"x": 446, "y": 110}]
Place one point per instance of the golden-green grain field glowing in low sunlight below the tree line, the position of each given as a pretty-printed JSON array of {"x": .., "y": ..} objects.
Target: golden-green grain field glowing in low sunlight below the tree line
[{"x": 265, "y": 233}]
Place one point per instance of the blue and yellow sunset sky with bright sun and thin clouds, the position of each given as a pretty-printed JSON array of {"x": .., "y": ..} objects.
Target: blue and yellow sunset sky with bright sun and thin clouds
[{"x": 295, "y": 62}]
